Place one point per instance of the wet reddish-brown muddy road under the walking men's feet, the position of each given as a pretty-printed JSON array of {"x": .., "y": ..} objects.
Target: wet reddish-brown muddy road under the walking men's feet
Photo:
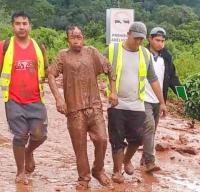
[{"x": 178, "y": 154}]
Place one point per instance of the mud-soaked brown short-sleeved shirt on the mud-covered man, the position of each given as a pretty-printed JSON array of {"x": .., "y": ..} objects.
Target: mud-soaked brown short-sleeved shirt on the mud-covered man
[{"x": 80, "y": 71}]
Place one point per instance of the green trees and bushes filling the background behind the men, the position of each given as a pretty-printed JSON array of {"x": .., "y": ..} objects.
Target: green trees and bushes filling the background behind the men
[{"x": 180, "y": 18}]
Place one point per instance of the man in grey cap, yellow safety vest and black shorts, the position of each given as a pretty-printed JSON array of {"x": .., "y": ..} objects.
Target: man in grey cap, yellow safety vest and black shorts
[{"x": 132, "y": 65}]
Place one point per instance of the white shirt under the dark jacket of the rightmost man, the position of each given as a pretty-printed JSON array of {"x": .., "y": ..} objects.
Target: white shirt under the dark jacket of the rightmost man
[{"x": 159, "y": 68}]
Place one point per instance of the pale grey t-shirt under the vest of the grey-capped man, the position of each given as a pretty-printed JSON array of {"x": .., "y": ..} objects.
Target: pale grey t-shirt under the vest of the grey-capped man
[{"x": 128, "y": 90}]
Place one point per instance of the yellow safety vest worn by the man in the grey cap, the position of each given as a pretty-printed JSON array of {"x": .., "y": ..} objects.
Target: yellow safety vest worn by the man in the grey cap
[{"x": 118, "y": 67}]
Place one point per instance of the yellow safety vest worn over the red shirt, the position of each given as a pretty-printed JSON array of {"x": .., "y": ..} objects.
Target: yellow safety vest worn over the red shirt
[{"x": 7, "y": 68}]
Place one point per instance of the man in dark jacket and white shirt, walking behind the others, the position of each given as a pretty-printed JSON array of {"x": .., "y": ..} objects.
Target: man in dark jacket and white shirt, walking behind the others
[{"x": 166, "y": 73}]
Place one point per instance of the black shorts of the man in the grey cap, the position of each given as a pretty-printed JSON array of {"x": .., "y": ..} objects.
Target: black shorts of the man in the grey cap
[{"x": 125, "y": 124}]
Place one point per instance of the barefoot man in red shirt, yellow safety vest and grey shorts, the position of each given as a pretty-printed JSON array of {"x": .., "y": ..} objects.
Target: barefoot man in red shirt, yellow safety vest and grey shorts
[{"x": 22, "y": 71}]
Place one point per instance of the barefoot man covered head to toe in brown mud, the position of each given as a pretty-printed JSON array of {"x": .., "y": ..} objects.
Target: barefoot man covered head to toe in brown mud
[{"x": 80, "y": 66}]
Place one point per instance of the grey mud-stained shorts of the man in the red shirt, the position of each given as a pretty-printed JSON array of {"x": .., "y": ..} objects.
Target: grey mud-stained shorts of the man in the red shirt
[{"x": 27, "y": 120}]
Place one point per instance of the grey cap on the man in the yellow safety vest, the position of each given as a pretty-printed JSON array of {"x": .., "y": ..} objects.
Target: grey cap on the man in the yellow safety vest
[{"x": 138, "y": 29}]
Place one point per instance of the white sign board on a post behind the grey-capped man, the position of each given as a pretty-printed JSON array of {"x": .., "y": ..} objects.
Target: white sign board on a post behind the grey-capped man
[{"x": 117, "y": 24}]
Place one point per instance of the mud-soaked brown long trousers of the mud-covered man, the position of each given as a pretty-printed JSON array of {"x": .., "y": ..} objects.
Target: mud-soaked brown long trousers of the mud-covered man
[{"x": 80, "y": 123}]
